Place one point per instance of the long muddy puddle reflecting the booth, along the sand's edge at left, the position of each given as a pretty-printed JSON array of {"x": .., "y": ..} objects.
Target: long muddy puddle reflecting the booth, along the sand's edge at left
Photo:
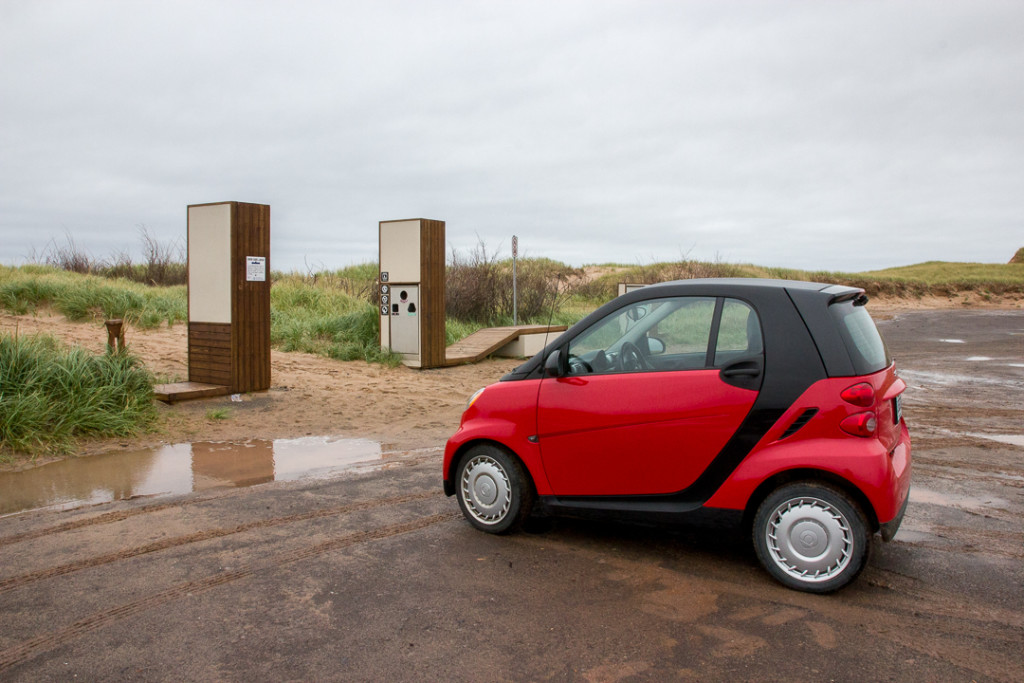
[{"x": 181, "y": 468}]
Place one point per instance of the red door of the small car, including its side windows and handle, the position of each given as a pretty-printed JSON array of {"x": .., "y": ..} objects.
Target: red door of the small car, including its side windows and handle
[{"x": 613, "y": 425}]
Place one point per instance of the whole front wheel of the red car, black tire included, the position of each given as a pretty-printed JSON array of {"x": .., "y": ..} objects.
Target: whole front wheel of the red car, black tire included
[{"x": 494, "y": 491}]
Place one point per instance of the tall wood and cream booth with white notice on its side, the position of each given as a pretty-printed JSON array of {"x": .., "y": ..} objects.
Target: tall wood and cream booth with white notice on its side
[{"x": 230, "y": 296}]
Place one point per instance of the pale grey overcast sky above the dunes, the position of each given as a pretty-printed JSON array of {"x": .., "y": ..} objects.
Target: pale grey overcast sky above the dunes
[{"x": 835, "y": 136}]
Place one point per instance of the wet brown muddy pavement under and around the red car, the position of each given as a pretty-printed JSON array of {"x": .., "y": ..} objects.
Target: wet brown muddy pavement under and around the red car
[{"x": 375, "y": 576}]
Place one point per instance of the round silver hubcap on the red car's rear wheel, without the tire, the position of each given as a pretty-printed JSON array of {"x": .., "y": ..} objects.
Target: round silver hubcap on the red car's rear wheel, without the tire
[{"x": 809, "y": 539}]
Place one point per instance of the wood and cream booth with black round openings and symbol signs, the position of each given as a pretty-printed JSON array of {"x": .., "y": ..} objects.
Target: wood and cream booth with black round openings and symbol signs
[{"x": 412, "y": 290}]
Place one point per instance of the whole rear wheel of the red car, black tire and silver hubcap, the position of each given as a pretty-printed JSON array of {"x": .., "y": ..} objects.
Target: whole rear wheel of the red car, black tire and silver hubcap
[{"x": 812, "y": 537}]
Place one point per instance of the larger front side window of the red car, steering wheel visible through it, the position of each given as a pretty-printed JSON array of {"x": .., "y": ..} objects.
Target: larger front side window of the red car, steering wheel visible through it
[{"x": 659, "y": 335}]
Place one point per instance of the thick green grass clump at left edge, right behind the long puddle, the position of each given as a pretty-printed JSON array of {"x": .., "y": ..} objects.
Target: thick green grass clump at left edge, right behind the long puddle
[{"x": 52, "y": 395}]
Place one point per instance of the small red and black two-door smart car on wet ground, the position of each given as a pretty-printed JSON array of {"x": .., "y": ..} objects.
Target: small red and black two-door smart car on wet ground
[{"x": 773, "y": 402}]
